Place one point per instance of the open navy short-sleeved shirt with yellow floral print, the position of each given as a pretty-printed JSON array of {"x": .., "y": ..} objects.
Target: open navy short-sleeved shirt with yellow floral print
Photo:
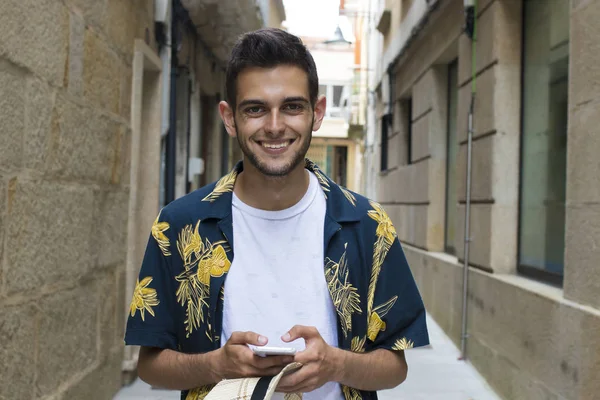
[{"x": 178, "y": 299}]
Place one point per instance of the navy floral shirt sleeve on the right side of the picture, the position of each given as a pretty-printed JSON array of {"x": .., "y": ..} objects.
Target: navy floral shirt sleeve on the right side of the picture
[{"x": 397, "y": 320}]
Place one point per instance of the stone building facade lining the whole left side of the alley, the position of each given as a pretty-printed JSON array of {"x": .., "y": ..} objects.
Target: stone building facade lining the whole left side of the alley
[{"x": 84, "y": 115}]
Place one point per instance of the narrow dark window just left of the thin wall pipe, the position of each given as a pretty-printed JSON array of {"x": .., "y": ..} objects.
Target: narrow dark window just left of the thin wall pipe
[{"x": 451, "y": 157}]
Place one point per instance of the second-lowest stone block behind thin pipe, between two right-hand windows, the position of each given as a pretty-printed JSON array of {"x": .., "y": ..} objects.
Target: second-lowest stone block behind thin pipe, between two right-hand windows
[{"x": 481, "y": 170}]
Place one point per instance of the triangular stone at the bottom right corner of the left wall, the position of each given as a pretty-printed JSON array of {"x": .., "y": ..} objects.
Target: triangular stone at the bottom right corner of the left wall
[{"x": 101, "y": 383}]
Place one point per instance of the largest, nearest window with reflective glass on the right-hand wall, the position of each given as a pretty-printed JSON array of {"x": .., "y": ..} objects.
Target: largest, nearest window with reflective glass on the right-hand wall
[{"x": 544, "y": 139}]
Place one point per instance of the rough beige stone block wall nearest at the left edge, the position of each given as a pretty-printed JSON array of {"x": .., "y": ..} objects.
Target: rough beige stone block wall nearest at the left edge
[{"x": 65, "y": 90}]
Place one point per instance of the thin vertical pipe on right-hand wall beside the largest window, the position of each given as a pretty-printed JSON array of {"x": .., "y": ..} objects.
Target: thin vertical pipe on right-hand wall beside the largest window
[{"x": 470, "y": 30}]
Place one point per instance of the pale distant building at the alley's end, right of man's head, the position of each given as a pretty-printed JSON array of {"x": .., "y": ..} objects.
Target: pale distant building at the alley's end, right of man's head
[{"x": 337, "y": 146}]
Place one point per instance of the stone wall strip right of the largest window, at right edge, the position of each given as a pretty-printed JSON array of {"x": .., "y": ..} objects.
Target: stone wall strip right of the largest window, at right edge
[{"x": 582, "y": 274}]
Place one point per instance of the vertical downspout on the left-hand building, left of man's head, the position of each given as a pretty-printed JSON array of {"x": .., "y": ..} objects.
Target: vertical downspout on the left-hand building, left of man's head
[{"x": 172, "y": 135}]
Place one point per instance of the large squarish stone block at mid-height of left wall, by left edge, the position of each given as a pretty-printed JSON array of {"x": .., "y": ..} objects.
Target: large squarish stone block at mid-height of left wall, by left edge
[{"x": 48, "y": 234}]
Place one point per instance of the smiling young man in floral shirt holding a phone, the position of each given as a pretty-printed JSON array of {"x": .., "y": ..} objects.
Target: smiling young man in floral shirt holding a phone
[{"x": 308, "y": 263}]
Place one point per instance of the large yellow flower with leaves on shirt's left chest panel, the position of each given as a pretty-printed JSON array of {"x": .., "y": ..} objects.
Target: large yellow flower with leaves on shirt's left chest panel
[{"x": 201, "y": 261}]
